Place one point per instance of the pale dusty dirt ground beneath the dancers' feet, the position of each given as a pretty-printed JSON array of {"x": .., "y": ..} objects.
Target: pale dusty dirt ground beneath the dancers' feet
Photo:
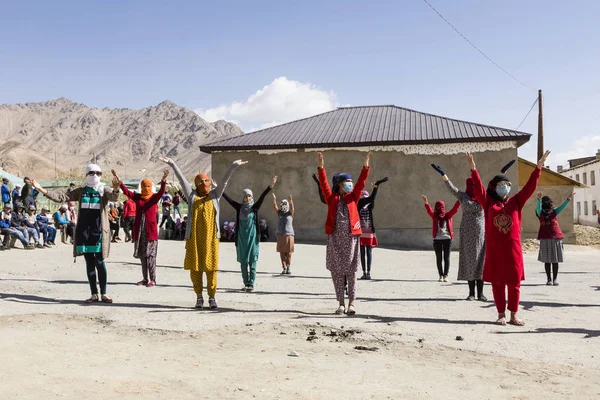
[{"x": 413, "y": 338}]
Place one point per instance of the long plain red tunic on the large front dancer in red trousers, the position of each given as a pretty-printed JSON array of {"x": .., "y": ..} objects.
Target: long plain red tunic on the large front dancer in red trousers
[{"x": 503, "y": 251}]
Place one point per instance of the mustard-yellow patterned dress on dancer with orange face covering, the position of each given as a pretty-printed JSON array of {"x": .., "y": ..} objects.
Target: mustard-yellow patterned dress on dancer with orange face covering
[{"x": 202, "y": 247}]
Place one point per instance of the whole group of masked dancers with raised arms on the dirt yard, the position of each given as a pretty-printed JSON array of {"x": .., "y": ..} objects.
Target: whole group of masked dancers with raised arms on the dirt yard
[{"x": 490, "y": 246}]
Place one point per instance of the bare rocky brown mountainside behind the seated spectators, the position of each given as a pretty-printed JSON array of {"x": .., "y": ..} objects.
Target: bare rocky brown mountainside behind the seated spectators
[{"x": 125, "y": 139}]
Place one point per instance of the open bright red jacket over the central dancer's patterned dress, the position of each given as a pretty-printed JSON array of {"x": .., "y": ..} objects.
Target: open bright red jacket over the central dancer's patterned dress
[{"x": 333, "y": 199}]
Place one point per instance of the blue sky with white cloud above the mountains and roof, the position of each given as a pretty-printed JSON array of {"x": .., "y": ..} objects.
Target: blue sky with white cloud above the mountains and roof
[{"x": 259, "y": 63}]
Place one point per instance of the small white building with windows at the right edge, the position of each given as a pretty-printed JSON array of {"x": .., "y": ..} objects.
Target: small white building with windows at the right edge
[{"x": 587, "y": 198}]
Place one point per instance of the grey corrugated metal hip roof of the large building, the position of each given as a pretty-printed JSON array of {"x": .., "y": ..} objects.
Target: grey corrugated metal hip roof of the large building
[{"x": 367, "y": 126}]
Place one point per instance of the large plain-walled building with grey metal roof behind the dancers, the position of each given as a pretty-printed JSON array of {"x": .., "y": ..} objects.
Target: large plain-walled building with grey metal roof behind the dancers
[{"x": 404, "y": 143}]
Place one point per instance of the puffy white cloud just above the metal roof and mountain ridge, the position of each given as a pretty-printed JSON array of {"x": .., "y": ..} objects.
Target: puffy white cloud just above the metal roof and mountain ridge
[{"x": 281, "y": 101}]
